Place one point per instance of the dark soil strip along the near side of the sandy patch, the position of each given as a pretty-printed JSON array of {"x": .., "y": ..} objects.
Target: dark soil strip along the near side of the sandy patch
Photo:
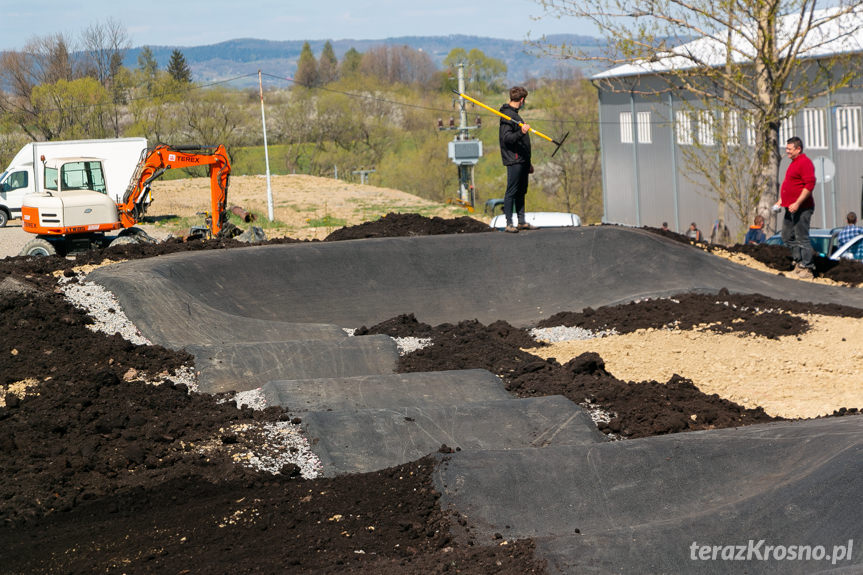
[{"x": 638, "y": 409}]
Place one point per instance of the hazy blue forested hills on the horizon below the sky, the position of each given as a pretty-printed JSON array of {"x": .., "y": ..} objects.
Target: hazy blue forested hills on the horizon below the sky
[{"x": 233, "y": 58}]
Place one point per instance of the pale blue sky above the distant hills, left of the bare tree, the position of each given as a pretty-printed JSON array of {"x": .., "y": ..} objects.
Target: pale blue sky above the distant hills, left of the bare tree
[{"x": 198, "y": 22}]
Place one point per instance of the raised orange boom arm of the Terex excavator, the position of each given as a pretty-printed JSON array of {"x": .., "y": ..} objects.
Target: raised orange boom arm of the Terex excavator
[{"x": 155, "y": 161}]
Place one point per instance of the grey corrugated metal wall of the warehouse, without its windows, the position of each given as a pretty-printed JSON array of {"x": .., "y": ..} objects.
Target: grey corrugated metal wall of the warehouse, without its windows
[{"x": 644, "y": 183}]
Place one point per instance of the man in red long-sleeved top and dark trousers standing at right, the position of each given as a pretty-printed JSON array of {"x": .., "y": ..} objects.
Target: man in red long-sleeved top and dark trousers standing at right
[{"x": 797, "y": 199}]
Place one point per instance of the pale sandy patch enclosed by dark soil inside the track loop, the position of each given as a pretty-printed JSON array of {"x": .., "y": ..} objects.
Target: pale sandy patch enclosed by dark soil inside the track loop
[{"x": 792, "y": 377}]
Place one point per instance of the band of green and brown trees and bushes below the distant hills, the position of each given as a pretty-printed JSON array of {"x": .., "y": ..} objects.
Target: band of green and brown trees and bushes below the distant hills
[{"x": 377, "y": 109}]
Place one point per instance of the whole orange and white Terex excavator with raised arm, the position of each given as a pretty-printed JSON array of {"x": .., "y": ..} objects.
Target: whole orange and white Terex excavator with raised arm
[{"x": 74, "y": 211}]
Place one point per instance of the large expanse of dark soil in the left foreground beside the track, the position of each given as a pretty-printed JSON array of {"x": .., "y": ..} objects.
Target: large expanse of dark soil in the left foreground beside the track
[{"x": 102, "y": 472}]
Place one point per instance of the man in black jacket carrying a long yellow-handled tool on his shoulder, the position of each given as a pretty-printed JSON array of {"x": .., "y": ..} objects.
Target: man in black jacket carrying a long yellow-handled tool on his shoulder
[{"x": 515, "y": 153}]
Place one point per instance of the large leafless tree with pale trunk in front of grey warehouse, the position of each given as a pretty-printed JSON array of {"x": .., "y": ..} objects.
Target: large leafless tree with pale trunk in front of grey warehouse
[{"x": 766, "y": 57}]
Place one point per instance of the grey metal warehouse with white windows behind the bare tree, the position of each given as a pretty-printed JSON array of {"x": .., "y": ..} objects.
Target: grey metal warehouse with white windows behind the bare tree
[{"x": 645, "y": 127}]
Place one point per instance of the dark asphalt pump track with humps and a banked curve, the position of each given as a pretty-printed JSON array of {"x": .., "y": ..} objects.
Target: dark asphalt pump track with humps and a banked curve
[{"x": 272, "y": 317}]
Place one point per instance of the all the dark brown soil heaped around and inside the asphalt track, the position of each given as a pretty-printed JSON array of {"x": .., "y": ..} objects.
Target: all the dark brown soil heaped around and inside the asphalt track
[{"x": 101, "y": 471}]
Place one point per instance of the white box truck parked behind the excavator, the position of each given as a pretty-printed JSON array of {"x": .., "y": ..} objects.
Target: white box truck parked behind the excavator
[{"x": 119, "y": 156}]
